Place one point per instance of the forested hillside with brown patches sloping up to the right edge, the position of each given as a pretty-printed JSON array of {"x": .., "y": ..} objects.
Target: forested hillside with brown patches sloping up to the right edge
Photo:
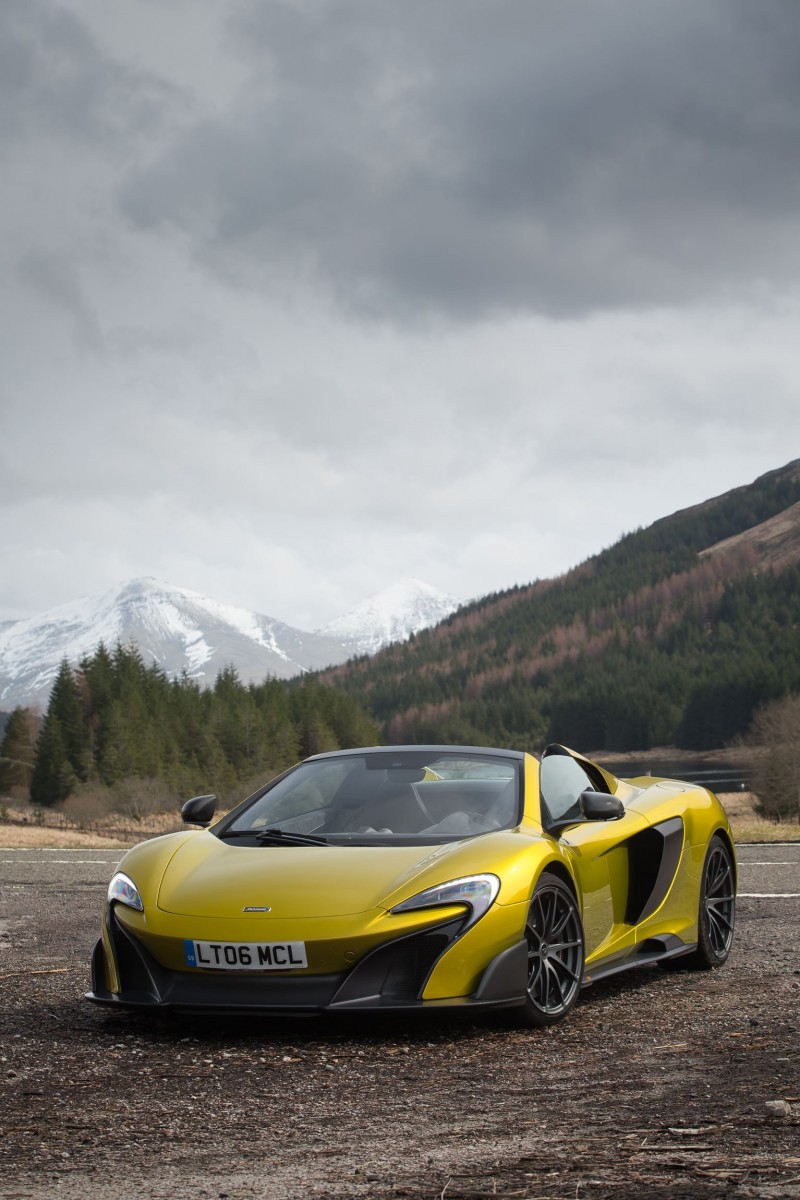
[{"x": 673, "y": 635}]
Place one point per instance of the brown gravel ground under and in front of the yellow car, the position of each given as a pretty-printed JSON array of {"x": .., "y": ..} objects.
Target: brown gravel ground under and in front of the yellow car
[{"x": 659, "y": 1085}]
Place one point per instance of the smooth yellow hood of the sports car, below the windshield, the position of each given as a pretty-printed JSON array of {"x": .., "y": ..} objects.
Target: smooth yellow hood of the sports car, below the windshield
[{"x": 209, "y": 878}]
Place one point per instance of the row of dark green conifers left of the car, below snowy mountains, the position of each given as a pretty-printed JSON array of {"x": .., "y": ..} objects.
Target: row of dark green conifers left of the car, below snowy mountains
[{"x": 116, "y": 718}]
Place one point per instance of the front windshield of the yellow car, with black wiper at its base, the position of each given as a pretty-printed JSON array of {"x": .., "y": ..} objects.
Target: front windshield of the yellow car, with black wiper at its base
[{"x": 387, "y": 797}]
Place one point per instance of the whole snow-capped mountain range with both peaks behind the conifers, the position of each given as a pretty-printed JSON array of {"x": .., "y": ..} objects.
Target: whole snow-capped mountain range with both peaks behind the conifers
[{"x": 184, "y": 631}]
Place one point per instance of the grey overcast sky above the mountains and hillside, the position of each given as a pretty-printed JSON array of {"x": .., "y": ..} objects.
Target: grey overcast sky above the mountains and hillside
[{"x": 300, "y": 297}]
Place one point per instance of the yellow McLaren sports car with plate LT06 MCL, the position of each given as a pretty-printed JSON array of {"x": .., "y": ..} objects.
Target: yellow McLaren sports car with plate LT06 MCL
[{"x": 419, "y": 878}]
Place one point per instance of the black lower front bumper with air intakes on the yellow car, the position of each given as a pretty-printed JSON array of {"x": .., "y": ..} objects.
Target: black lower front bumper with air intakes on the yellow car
[{"x": 390, "y": 977}]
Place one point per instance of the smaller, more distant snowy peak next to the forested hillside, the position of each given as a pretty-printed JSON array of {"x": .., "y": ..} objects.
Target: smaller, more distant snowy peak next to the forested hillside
[{"x": 390, "y": 616}]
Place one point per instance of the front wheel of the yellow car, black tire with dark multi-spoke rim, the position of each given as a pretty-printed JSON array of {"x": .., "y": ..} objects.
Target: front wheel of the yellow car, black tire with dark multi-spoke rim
[{"x": 555, "y": 937}]
